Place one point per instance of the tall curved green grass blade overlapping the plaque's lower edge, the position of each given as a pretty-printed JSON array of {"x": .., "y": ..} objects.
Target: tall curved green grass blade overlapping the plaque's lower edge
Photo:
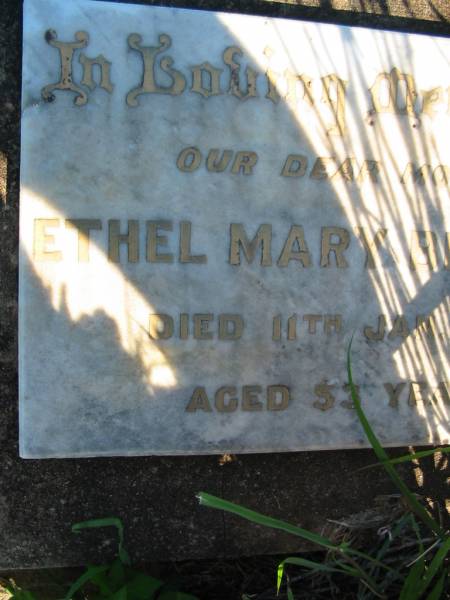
[{"x": 413, "y": 504}]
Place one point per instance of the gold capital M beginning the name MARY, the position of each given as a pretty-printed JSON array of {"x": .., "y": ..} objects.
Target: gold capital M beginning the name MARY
[{"x": 238, "y": 239}]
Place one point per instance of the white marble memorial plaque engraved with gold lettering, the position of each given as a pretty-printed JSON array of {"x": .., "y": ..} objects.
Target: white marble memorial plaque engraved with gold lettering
[{"x": 211, "y": 205}]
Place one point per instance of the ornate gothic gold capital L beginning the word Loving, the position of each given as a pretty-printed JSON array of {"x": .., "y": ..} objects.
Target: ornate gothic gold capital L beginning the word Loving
[{"x": 149, "y": 84}]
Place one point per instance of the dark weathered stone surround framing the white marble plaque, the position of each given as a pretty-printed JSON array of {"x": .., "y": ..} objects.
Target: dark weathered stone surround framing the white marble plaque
[{"x": 41, "y": 499}]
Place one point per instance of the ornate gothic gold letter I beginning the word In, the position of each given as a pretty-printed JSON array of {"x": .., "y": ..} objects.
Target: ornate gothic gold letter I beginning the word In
[{"x": 66, "y": 51}]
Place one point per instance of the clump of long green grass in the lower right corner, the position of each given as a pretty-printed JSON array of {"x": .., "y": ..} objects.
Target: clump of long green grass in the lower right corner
[{"x": 417, "y": 570}]
